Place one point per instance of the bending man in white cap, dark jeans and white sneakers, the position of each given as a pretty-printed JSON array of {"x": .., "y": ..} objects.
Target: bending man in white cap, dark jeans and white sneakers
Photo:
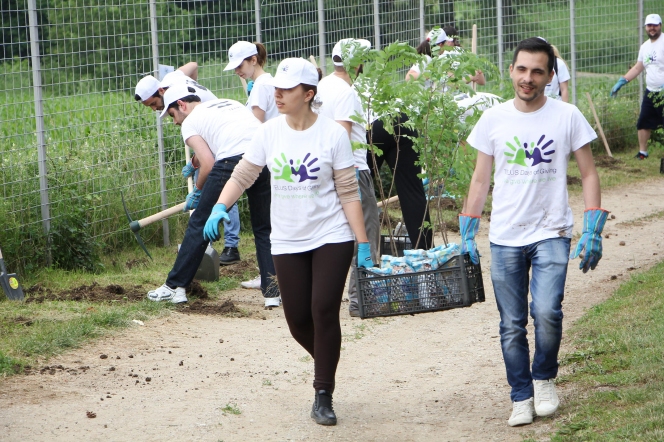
[{"x": 219, "y": 132}]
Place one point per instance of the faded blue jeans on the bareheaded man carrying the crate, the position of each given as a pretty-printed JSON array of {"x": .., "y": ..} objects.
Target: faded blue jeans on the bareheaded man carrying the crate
[{"x": 509, "y": 273}]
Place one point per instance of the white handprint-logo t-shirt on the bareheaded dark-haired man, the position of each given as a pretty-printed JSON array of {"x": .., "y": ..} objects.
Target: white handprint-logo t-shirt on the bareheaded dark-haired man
[{"x": 530, "y": 201}]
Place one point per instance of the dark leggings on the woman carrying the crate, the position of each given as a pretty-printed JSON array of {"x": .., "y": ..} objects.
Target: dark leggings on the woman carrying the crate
[{"x": 311, "y": 285}]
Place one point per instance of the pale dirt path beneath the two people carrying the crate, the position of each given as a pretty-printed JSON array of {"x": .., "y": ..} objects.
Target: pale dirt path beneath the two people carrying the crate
[{"x": 436, "y": 376}]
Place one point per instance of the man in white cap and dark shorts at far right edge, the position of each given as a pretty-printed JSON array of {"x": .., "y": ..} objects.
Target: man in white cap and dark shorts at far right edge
[{"x": 651, "y": 60}]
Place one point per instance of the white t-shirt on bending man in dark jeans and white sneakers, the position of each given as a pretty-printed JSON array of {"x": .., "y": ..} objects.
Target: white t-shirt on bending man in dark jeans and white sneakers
[{"x": 226, "y": 126}]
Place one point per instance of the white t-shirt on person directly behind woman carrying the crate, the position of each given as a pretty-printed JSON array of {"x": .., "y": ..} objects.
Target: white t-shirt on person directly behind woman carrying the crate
[{"x": 340, "y": 103}]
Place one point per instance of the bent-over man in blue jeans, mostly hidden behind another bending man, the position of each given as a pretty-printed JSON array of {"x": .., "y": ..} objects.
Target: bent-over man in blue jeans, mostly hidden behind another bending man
[{"x": 150, "y": 92}]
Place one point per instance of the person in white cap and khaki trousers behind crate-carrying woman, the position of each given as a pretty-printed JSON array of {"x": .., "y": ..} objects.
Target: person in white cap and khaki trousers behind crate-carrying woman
[{"x": 340, "y": 102}]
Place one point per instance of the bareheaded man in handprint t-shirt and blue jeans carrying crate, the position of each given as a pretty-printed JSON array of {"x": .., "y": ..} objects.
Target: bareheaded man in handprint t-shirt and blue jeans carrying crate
[{"x": 530, "y": 139}]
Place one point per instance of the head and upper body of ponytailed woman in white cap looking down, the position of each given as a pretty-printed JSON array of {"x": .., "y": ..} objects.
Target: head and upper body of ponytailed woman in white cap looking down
[{"x": 247, "y": 60}]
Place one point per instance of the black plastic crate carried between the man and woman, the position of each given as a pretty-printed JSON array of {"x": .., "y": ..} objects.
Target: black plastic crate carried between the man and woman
[{"x": 458, "y": 283}]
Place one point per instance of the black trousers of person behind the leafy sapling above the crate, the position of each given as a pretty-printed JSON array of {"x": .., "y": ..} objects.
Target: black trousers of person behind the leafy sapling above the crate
[{"x": 400, "y": 156}]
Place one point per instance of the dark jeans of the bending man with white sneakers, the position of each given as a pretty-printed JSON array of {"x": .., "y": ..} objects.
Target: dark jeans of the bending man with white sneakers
[{"x": 194, "y": 245}]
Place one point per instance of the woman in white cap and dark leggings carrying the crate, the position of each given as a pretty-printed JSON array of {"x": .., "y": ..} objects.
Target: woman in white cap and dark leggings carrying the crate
[{"x": 316, "y": 216}]
